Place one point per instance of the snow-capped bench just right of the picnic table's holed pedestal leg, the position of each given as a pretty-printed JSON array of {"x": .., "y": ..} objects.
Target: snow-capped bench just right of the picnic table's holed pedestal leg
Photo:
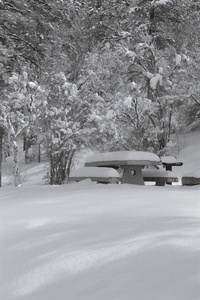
[{"x": 159, "y": 176}]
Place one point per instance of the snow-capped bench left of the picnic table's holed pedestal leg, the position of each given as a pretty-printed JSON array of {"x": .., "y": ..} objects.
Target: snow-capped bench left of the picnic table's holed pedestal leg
[{"x": 99, "y": 175}]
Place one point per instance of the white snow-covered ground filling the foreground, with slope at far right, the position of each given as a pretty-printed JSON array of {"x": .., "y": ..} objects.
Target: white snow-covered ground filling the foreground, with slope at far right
[{"x": 87, "y": 241}]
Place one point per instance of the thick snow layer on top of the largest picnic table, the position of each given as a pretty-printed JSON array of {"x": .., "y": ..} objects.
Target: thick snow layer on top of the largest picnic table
[{"x": 123, "y": 156}]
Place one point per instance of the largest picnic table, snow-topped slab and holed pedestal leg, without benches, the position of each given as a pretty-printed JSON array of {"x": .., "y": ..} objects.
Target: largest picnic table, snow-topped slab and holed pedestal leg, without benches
[{"x": 131, "y": 162}]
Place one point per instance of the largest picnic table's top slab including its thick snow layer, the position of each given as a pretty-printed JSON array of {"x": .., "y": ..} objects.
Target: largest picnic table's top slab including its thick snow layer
[{"x": 122, "y": 158}]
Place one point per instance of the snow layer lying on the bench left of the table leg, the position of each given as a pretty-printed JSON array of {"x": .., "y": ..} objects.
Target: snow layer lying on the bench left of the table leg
[{"x": 94, "y": 172}]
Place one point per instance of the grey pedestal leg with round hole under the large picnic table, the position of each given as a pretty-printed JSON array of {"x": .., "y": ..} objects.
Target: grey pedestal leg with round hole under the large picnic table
[{"x": 133, "y": 175}]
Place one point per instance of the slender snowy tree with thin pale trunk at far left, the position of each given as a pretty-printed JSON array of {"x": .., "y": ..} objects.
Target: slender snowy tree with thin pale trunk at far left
[{"x": 18, "y": 111}]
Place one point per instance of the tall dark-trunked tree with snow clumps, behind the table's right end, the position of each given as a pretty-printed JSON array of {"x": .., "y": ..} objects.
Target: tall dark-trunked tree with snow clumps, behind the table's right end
[{"x": 155, "y": 48}]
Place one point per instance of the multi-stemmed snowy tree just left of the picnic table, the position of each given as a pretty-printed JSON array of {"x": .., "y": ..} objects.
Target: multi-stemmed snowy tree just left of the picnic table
[{"x": 67, "y": 122}]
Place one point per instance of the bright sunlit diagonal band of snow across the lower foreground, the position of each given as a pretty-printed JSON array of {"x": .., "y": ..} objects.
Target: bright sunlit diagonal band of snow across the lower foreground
[{"x": 78, "y": 261}]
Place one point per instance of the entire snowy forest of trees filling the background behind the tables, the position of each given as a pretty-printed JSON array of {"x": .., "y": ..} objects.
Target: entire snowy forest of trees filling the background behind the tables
[{"x": 104, "y": 75}]
